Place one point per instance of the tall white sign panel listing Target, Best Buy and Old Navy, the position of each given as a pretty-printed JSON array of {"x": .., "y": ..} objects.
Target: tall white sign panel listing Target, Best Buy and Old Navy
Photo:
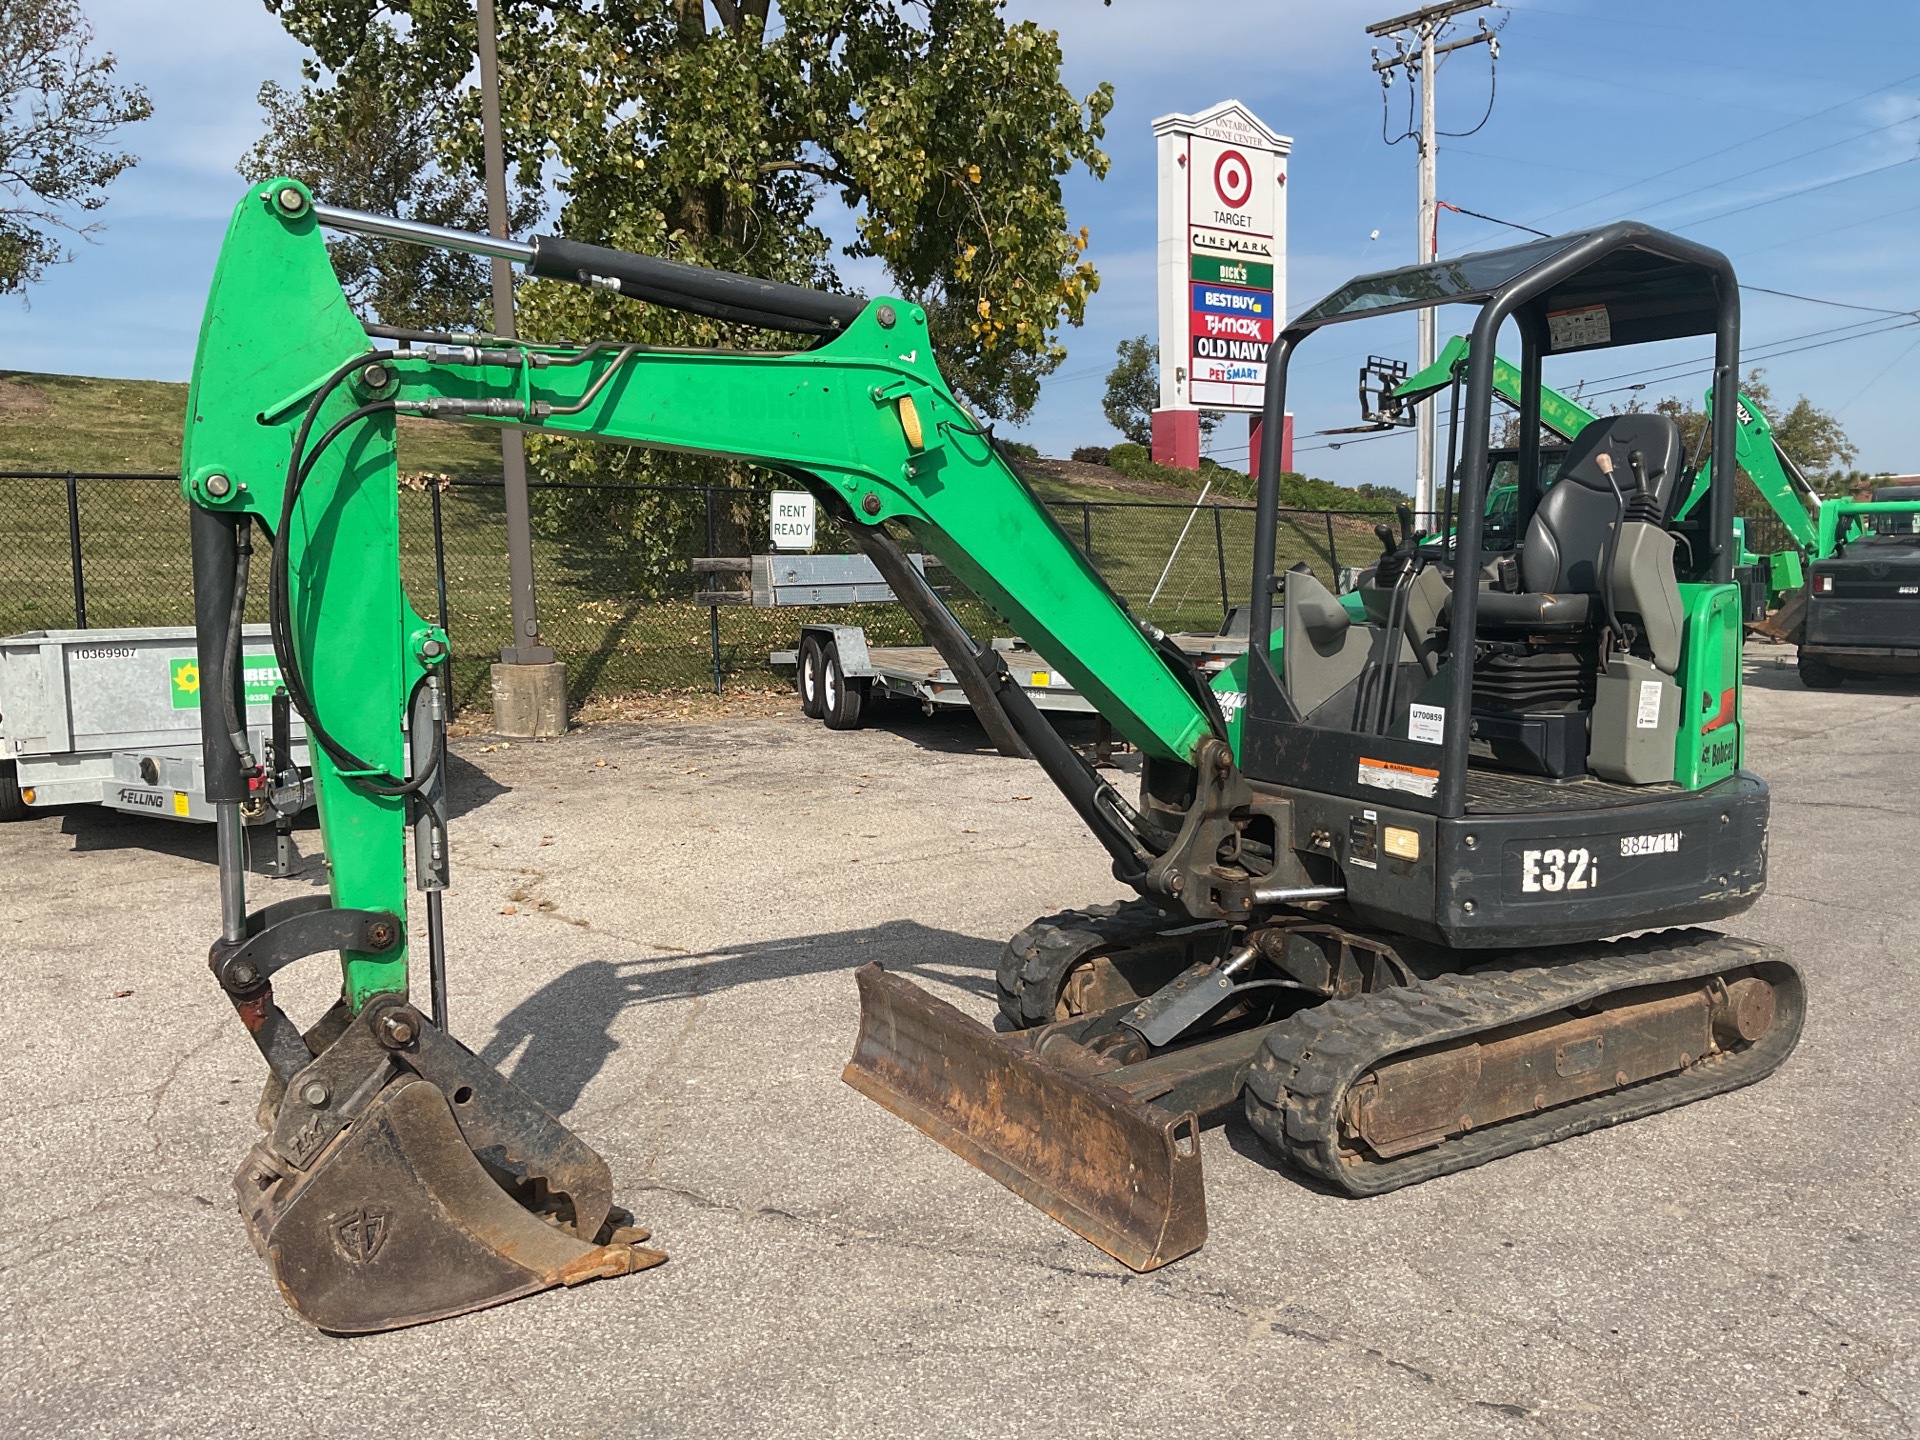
[{"x": 1222, "y": 256}]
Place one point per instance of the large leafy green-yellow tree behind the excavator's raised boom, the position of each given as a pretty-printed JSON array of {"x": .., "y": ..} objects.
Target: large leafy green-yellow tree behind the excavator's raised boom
[{"x": 940, "y": 126}]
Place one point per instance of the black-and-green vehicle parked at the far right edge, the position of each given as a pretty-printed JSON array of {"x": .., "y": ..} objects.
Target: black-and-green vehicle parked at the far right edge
[{"x": 1863, "y": 598}]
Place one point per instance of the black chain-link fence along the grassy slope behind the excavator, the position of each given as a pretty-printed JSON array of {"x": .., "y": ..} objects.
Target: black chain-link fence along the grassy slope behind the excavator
[{"x": 613, "y": 571}]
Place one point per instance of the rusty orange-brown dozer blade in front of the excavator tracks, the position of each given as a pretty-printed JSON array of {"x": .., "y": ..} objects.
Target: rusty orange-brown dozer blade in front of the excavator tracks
[{"x": 1118, "y": 1172}]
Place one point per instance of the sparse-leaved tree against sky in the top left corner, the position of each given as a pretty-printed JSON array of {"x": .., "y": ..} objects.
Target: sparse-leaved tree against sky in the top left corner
[{"x": 59, "y": 116}]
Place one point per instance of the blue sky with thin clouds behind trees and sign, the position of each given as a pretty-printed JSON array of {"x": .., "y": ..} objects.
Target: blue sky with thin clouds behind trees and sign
[{"x": 1712, "y": 118}]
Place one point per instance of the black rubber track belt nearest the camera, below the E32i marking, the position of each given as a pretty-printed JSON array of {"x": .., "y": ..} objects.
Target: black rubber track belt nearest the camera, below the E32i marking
[{"x": 1297, "y": 1088}]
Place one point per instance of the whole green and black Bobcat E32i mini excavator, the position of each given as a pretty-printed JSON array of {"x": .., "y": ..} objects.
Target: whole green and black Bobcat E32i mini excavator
[{"x": 1378, "y": 861}]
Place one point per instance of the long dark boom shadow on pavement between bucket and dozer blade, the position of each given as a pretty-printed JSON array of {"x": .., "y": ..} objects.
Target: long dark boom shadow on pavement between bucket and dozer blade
[{"x": 565, "y": 1026}]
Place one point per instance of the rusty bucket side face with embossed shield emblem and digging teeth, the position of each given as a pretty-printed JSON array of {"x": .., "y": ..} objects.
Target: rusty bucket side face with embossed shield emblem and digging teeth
[{"x": 396, "y": 1224}]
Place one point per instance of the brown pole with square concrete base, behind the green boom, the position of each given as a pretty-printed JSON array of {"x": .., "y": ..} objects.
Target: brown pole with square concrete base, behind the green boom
[{"x": 529, "y": 683}]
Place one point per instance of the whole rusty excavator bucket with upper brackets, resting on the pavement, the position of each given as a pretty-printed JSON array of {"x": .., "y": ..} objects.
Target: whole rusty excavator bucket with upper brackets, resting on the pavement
[{"x": 406, "y": 1182}]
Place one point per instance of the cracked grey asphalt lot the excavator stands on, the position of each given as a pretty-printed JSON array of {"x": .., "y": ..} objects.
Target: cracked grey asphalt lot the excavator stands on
[{"x": 654, "y": 930}]
